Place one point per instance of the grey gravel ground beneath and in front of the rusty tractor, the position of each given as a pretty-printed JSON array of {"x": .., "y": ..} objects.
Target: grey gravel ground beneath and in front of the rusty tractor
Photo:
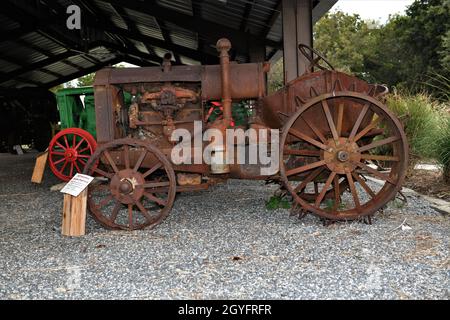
[{"x": 220, "y": 243}]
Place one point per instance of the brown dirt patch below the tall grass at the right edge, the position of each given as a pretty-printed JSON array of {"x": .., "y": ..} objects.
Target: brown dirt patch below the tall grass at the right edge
[{"x": 429, "y": 183}]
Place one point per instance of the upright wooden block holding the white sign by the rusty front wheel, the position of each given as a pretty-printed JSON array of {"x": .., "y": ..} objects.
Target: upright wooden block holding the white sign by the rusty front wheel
[{"x": 74, "y": 214}]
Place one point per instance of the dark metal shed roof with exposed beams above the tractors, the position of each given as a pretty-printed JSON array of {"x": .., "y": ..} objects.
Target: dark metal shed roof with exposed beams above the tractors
[{"x": 37, "y": 49}]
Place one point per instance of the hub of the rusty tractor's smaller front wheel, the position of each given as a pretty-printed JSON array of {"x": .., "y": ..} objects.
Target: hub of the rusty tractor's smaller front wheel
[{"x": 124, "y": 186}]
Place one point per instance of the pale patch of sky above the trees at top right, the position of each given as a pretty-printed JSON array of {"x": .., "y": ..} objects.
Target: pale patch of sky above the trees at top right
[{"x": 373, "y": 9}]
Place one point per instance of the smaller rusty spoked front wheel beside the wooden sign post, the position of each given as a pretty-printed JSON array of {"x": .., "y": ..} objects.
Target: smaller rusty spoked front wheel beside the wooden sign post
[{"x": 135, "y": 187}]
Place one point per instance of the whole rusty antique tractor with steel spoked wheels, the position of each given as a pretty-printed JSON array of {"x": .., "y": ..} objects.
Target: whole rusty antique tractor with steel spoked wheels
[{"x": 342, "y": 153}]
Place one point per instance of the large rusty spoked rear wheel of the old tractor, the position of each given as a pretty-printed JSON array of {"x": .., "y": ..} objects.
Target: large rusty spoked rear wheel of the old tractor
[{"x": 344, "y": 156}]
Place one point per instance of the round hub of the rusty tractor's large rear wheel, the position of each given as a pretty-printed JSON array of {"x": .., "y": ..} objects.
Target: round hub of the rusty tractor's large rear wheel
[{"x": 340, "y": 156}]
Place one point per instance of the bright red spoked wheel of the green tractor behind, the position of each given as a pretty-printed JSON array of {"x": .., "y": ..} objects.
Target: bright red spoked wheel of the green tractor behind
[{"x": 69, "y": 151}]
